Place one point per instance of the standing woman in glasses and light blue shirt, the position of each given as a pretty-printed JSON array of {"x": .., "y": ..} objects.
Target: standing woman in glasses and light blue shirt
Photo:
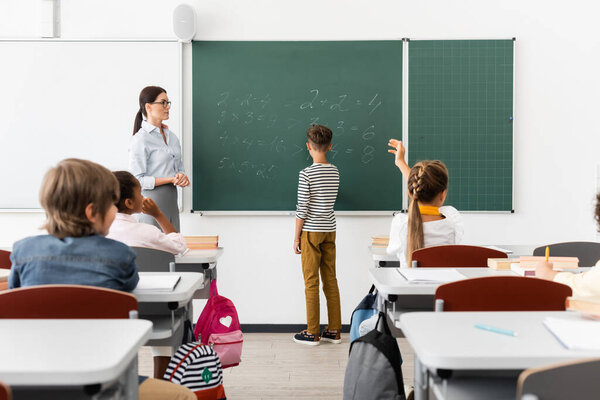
[{"x": 155, "y": 155}]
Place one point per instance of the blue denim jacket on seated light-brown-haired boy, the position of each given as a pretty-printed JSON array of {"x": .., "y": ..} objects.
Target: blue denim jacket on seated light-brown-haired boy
[{"x": 89, "y": 260}]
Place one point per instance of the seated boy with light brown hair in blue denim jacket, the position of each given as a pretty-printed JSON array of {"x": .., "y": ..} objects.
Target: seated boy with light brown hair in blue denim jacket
[{"x": 79, "y": 199}]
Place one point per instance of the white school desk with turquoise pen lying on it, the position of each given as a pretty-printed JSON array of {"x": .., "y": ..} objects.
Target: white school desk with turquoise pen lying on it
[{"x": 447, "y": 345}]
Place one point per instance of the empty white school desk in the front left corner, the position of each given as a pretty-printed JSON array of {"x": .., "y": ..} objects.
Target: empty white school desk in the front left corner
[{"x": 60, "y": 356}]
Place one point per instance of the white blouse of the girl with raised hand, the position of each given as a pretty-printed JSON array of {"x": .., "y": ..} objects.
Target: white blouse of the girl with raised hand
[{"x": 449, "y": 230}]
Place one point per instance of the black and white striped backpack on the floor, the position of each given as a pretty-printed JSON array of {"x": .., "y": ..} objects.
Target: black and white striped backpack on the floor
[{"x": 197, "y": 367}]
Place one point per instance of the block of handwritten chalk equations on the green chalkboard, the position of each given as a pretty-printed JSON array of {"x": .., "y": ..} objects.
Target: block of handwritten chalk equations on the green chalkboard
[{"x": 240, "y": 115}]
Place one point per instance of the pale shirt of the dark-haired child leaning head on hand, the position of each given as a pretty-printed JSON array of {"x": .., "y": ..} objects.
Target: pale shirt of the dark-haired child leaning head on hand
[{"x": 126, "y": 229}]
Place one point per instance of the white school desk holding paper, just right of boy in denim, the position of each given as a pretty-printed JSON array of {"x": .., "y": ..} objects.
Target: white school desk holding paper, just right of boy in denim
[{"x": 169, "y": 310}]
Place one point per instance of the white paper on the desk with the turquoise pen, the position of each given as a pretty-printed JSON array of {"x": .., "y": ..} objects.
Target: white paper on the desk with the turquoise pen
[{"x": 575, "y": 334}]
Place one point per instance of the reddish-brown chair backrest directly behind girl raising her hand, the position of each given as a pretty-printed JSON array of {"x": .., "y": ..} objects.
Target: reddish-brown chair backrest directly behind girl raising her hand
[{"x": 454, "y": 256}]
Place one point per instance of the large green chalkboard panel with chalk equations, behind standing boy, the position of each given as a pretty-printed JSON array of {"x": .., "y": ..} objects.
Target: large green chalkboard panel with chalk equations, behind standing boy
[{"x": 252, "y": 105}]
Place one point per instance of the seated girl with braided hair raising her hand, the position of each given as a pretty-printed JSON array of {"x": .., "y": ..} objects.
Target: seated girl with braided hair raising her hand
[{"x": 428, "y": 222}]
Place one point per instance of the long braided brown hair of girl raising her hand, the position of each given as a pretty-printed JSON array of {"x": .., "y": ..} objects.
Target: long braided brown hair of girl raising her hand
[{"x": 427, "y": 179}]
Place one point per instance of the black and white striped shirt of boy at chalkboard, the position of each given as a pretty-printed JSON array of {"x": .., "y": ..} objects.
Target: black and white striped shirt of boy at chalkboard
[{"x": 317, "y": 191}]
